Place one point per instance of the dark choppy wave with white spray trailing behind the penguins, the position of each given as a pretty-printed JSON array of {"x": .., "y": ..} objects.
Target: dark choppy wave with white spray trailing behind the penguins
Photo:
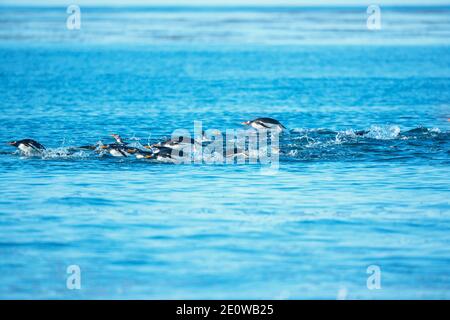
[{"x": 376, "y": 143}]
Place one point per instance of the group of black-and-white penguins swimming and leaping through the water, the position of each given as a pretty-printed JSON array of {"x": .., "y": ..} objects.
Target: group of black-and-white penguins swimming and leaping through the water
[{"x": 161, "y": 151}]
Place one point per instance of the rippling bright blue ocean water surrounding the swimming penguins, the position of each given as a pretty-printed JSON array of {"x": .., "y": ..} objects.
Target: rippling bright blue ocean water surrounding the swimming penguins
[{"x": 364, "y": 166}]
